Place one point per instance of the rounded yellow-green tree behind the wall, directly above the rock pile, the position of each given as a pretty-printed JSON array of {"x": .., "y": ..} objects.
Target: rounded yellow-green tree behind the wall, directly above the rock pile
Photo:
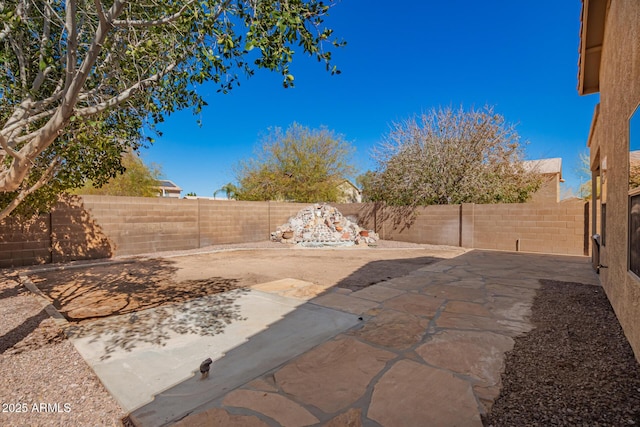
[{"x": 299, "y": 164}]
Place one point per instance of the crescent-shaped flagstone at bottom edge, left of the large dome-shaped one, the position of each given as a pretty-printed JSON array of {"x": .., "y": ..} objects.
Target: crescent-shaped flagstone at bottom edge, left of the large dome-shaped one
[{"x": 286, "y": 412}]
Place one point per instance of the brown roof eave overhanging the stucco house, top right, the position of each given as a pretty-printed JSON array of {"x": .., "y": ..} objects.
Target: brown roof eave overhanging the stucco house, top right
[{"x": 593, "y": 18}]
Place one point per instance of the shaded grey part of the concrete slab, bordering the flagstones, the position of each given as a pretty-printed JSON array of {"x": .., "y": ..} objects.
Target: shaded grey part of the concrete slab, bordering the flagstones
[{"x": 297, "y": 332}]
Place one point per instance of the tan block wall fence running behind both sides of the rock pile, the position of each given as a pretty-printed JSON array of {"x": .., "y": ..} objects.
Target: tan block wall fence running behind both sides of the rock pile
[{"x": 92, "y": 227}]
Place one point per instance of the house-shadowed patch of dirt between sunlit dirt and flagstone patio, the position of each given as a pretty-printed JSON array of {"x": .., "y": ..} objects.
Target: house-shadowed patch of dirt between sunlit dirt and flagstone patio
[{"x": 380, "y": 271}]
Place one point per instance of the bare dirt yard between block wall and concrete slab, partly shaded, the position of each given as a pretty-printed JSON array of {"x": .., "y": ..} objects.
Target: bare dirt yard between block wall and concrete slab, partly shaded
[{"x": 130, "y": 285}]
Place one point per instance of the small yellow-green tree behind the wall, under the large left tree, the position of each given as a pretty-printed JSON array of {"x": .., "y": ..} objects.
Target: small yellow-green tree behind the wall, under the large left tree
[{"x": 137, "y": 179}]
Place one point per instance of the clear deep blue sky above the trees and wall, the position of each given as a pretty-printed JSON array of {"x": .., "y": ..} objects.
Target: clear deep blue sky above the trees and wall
[{"x": 401, "y": 59}]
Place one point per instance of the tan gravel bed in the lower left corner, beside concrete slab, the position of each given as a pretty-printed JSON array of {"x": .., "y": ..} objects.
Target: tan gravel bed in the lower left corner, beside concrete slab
[{"x": 44, "y": 381}]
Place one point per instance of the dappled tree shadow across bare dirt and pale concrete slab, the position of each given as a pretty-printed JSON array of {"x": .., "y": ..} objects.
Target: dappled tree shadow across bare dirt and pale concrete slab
[{"x": 113, "y": 303}]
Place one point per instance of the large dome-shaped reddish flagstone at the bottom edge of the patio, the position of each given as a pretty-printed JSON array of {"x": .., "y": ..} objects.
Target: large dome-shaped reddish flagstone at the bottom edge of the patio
[{"x": 413, "y": 394}]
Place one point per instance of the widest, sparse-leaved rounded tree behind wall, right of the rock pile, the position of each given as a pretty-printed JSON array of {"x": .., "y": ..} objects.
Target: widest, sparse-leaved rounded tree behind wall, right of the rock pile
[{"x": 451, "y": 157}]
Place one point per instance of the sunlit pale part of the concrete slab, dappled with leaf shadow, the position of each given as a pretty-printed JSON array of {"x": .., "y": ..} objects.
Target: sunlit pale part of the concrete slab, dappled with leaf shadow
[{"x": 134, "y": 368}]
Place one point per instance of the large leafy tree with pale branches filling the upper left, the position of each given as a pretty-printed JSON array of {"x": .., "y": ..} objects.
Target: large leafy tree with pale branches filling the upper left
[{"x": 80, "y": 79}]
